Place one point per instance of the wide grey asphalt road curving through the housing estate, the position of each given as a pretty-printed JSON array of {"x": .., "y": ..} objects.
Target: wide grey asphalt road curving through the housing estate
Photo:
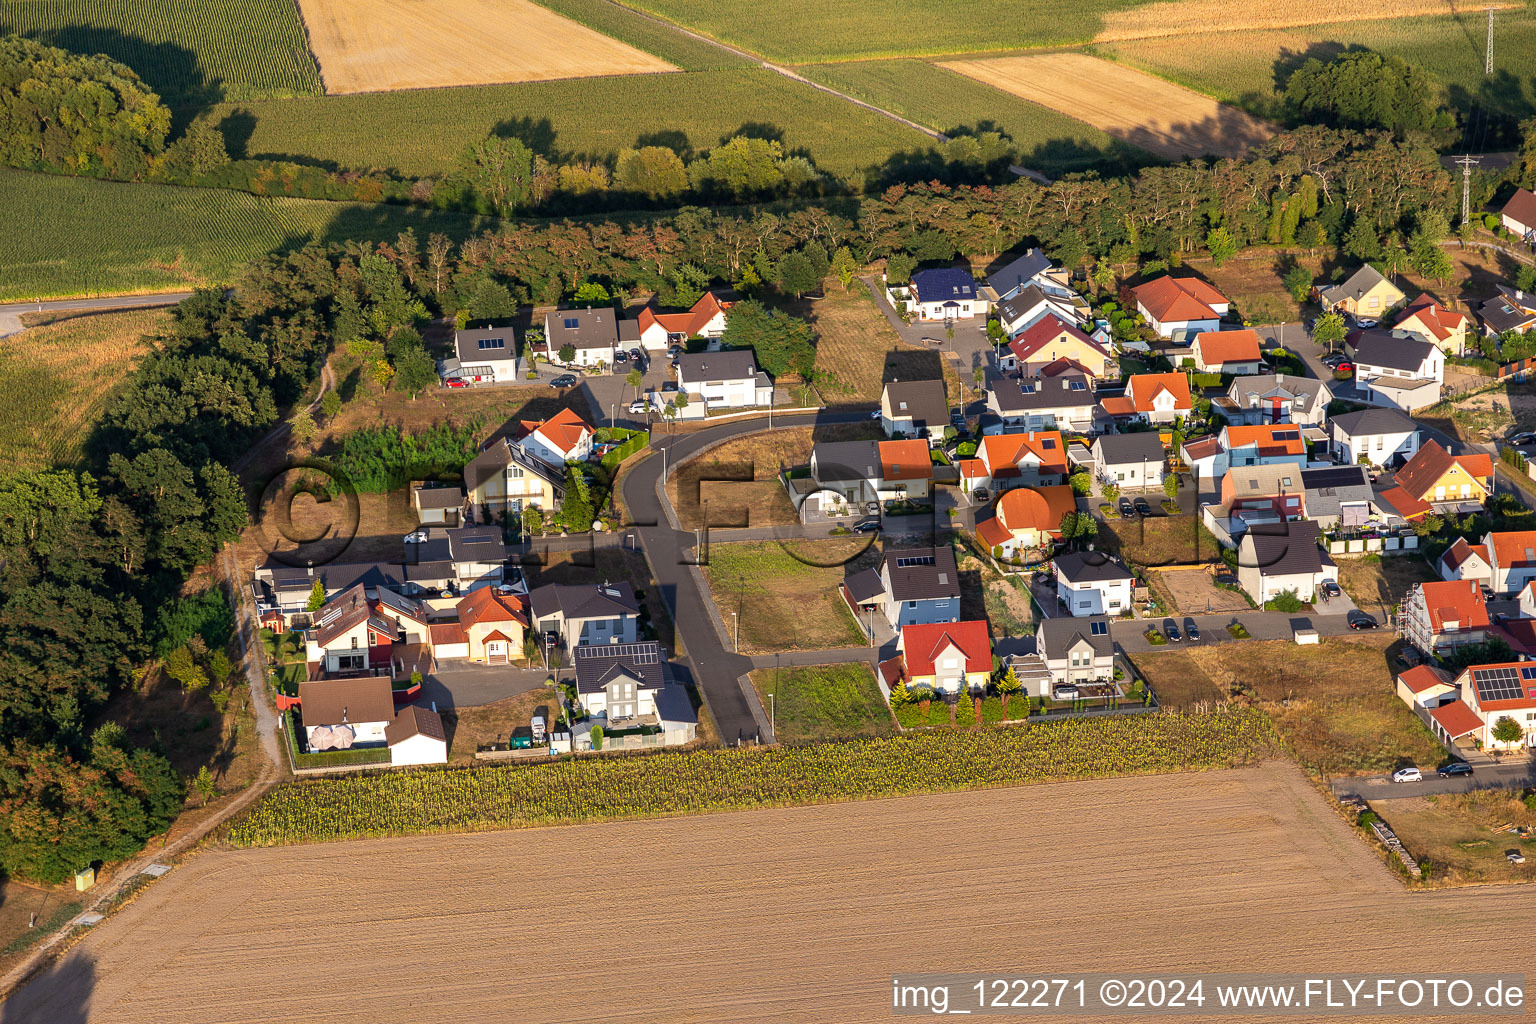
[{"x": 715, "y": 669}]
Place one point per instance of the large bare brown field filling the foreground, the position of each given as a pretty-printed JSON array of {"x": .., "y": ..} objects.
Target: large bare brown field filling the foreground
[{"x": 775, "y": 916}]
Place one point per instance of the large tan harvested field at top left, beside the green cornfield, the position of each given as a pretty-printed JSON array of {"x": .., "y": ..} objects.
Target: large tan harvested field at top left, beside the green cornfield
[{"x": 379, "y": 45}]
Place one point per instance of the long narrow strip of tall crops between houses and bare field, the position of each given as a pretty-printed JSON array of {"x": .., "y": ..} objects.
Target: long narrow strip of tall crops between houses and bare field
[{"x": 672, "y": 784}]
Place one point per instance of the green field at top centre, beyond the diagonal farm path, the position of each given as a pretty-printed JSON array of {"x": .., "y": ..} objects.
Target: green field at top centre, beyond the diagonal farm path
[{"x": 833, "y": 30}]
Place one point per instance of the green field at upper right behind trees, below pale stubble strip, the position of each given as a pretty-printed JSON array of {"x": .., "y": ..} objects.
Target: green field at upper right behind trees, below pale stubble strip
[{"x": 1449, "y": 48}]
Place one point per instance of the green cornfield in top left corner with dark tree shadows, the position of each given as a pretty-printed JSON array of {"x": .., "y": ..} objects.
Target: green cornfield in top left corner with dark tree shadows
[{"x": 188, "y": 53}]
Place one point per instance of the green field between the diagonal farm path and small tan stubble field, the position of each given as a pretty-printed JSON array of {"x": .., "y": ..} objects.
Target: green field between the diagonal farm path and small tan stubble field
[{"x": 944, "y": 101}]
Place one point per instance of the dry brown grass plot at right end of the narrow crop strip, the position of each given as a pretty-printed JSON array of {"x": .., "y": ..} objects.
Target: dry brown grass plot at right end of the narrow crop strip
[{"x": 1334, "y": 704}]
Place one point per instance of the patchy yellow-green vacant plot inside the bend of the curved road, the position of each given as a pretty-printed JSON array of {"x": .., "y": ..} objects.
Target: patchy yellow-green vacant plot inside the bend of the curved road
[{"x": 787, "y": 595}]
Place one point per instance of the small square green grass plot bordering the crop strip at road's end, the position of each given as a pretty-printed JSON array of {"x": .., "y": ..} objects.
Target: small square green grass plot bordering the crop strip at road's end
[{"x": 824, "y": 702}]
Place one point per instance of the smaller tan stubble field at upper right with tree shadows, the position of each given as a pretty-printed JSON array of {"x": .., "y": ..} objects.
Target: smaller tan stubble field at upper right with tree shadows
[{"x": 1136, "y": 108}]
